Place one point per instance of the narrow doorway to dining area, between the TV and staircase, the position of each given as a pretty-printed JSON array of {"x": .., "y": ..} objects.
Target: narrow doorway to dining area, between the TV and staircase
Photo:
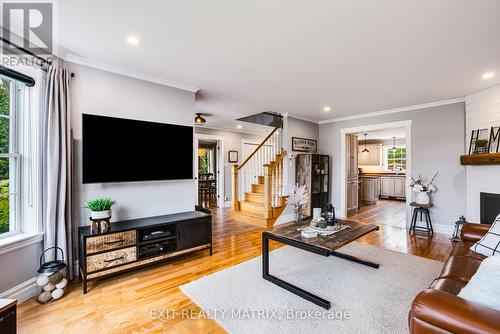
[{"x": 209, "y": 171}]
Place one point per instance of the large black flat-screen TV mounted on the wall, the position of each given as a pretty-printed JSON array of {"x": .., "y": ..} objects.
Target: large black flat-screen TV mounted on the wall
[{"x": 123, "y": 150}]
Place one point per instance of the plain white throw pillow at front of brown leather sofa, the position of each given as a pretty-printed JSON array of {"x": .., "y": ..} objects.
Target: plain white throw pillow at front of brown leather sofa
[{"x": 484, "y": 287}]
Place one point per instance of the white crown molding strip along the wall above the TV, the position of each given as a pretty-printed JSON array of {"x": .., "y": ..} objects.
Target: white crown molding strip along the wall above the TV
[{"x": 121, "y": 71}]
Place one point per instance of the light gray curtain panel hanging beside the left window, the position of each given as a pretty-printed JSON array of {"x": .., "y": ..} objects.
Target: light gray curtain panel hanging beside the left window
[{"x": 57, "y": 163}]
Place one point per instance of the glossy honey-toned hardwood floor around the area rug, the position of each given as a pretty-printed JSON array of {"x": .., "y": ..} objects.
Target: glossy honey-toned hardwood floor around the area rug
[{"x": 141, "y": 301}]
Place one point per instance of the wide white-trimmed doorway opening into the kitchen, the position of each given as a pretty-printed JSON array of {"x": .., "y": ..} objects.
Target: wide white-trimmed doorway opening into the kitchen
[{"x": 376, "y": 160}]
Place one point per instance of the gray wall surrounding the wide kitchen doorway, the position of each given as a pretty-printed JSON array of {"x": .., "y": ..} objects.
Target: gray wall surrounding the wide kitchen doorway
[{"x": 437, "y": 143}]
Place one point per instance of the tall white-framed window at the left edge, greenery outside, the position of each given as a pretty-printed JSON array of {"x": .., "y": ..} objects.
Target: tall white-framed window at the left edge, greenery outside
[{"x": 9, "y": 157}]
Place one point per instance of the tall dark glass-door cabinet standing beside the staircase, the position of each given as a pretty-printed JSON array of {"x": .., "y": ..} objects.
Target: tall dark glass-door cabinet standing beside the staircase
[{"x": 313, "y": 170}]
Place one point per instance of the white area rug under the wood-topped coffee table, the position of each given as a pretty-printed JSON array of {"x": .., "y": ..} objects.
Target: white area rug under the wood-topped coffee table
[{"x": 364, "y": 300}]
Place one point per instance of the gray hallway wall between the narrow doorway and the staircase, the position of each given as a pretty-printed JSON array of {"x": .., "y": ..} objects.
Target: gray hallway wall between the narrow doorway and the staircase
[{"x": 232, "y": 142}]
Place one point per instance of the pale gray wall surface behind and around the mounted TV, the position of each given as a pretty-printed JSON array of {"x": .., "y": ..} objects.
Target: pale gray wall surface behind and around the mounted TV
[{"x": 103, "y": 93}]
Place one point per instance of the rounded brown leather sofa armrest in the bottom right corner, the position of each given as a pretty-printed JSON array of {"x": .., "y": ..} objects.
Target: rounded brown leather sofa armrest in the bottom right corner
[{"x": 442, "y": 310}]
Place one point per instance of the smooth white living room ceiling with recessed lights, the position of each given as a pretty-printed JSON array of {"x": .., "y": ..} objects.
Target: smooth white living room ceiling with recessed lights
[{"x": 293, "y": 56}]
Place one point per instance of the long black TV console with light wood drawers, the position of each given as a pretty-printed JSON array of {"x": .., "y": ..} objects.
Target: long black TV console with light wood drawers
[{"x": 135, "y": 243}]
